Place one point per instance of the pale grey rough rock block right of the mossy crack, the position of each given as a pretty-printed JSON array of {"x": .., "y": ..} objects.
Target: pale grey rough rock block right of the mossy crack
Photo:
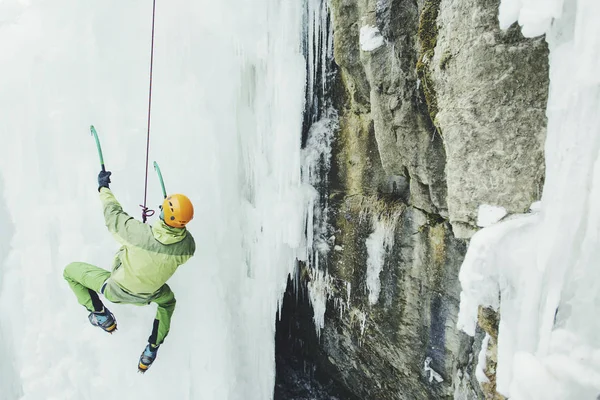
[{"x": 492, "y": 89}]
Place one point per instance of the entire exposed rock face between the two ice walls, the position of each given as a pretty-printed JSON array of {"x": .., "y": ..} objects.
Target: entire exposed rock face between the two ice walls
[{"x": 439, "y": 112}]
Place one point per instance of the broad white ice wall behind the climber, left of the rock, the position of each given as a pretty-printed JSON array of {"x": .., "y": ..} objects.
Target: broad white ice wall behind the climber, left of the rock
[{"x": 226, "y": 129}]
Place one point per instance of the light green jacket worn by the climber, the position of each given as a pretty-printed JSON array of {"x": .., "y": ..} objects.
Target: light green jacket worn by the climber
[{"x": 149, "y": 256}]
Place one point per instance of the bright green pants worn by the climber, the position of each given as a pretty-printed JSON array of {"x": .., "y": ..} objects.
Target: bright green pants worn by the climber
[{"x": 86, "y": 280}]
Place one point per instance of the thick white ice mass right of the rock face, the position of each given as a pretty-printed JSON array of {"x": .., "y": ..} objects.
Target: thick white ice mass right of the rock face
[{"x": 541, "y": 270}]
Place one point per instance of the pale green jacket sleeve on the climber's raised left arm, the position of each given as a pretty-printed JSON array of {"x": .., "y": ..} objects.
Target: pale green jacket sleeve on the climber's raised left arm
[{"x": 118, "y": 222}]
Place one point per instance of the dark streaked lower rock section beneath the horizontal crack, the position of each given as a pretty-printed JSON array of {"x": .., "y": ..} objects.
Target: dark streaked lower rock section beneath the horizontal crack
[{"x": 414, "y": 317}]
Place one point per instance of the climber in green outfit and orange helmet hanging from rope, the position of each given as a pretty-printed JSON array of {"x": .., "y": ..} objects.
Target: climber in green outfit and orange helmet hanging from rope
[{"x": 148, "y": 257}]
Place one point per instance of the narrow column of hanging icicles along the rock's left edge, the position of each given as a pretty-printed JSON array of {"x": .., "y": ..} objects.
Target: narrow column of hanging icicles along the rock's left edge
[{"x": 320, "y": 123}]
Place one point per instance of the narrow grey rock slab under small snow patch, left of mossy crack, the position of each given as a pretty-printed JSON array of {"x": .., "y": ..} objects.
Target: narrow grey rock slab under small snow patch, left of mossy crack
[{"x": 407, "y": 142}]
